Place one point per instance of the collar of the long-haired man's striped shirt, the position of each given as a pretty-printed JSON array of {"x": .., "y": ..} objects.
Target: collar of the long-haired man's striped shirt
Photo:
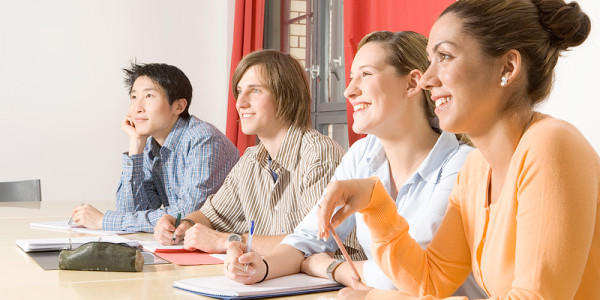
[{"x": 288, "y": 153}]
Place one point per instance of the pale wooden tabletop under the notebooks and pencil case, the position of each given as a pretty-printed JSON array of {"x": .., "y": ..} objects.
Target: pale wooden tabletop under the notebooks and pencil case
[{"x": 22, "y": 278}]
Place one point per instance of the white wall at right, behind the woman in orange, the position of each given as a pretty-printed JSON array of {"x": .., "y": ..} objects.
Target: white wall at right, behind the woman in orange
[{"x": 575, "y": 96}]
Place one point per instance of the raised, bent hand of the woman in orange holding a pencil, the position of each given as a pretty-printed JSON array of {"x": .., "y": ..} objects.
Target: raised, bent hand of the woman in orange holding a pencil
[{"x": 352, "y": 195}]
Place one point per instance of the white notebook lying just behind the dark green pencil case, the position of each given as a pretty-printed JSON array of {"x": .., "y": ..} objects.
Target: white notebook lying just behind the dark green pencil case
[{"x": 35, "y": 245}]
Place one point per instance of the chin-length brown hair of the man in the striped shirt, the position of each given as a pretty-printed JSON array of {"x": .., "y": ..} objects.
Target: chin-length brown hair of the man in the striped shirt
[{"x": 285, "y": 78}]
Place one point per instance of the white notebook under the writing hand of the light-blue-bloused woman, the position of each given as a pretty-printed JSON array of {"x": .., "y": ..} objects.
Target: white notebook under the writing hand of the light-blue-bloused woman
[{"x": 225, "y": 288}]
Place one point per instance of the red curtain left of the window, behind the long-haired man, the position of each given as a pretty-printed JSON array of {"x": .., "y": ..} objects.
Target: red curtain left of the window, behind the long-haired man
[{"x": 247, "y": 37}]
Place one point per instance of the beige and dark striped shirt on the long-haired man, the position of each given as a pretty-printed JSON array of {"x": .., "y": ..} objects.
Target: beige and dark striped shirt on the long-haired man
[{"x": 305, "y": 162}]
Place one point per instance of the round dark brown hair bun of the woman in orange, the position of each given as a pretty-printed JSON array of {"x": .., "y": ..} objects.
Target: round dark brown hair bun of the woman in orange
[{"x": 568, "y": 25}]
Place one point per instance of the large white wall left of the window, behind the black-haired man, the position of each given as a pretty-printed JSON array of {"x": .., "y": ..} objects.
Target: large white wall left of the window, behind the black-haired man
[{"x": 62, "y": 97}]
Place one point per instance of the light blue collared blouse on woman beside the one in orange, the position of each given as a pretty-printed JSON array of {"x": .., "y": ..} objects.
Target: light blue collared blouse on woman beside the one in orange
[{"x": 422, "y": 200}]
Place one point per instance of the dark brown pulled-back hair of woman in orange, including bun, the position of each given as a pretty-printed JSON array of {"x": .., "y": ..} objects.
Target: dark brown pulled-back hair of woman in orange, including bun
[{"x": 538, "y": 29}]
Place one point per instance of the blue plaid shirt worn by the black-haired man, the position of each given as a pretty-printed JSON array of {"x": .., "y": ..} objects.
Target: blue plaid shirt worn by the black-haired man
[{"x": 175, "y": 178}]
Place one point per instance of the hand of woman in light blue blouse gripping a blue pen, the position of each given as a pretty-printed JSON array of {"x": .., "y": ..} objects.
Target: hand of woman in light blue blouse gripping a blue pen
[{"x": 235, "y": 268}]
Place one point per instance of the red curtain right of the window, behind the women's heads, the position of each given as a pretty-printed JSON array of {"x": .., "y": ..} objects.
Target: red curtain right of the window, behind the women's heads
[{"x": 364, "y": 16}]
